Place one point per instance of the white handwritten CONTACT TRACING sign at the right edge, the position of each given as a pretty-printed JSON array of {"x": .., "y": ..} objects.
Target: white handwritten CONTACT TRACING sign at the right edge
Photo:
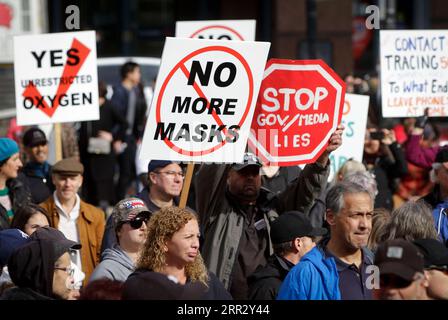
[{"x": 414, "y": 72}]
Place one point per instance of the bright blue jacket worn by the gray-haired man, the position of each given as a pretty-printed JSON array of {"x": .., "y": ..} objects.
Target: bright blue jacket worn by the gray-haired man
[{"x": 313, "y": 278}]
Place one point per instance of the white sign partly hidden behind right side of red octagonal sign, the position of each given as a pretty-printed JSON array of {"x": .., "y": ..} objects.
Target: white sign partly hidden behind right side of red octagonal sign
[{"x": 354, "y": 118}]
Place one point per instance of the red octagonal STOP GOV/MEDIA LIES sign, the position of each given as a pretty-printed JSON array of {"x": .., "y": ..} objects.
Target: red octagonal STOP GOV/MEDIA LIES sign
[{"x": 299, "y": 106}]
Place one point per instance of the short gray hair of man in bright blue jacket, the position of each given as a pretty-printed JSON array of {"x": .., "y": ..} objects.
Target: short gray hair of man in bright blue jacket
[{"x": 335, "y": 196}]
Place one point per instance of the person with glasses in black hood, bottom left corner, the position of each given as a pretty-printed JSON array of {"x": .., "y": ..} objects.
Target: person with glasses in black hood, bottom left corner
[{"x": 41, "y": 269}]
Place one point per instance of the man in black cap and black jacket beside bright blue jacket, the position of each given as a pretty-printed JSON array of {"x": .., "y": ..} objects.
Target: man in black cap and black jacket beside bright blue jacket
[{"x": 292, "y": 237}]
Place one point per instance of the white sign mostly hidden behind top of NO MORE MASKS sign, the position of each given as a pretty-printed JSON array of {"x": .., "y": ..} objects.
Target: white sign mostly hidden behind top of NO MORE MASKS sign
[{"x": 243, "y": 30}]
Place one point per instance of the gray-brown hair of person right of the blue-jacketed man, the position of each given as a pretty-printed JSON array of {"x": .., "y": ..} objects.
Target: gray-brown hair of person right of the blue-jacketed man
[{"x": 413, "y": 220}]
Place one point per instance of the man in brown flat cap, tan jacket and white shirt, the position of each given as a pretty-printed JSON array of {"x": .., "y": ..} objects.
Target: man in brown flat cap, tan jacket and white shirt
[{"x": 78, "y": 220}]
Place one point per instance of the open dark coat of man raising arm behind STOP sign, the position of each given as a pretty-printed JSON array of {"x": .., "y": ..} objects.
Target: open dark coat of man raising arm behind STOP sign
[{"x": 222, "y": 223}]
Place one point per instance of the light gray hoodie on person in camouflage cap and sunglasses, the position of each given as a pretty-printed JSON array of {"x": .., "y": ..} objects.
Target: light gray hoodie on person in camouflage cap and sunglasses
[{"x": 115, "y": 264}]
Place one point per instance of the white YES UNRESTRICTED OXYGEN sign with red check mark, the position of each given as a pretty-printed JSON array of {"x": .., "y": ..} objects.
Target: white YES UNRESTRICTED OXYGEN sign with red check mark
[{"x": 56, "y": 78}]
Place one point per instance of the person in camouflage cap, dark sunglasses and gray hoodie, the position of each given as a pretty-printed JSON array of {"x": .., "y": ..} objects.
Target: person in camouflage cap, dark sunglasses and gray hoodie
[{"x": 129, "y": 218}]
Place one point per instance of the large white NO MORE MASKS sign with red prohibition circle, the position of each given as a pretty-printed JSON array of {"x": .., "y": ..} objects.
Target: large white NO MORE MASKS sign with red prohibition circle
[{"x": 204, "y": 100}]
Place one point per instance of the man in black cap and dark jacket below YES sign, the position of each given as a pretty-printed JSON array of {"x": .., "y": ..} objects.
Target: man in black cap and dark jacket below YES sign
[{"x": 36, "y": 172}]
